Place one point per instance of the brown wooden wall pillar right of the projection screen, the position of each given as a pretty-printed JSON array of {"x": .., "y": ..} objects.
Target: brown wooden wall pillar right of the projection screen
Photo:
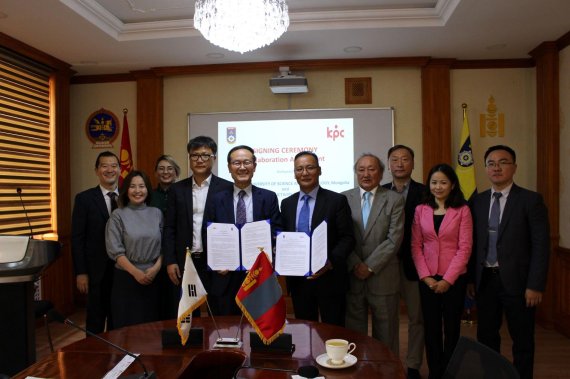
[{"x": 436, "y": 113}]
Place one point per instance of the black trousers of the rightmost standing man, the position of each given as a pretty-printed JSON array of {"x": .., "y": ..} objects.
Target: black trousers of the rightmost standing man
[{"x": 492, "y": 302}]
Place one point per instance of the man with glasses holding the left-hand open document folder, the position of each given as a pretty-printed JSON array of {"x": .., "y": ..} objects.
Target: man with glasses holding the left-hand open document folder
[{"x": 243, "y": 203}]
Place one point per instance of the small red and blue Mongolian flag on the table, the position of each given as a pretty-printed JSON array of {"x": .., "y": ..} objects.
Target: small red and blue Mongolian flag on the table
[{"x": 261, "y": 300}]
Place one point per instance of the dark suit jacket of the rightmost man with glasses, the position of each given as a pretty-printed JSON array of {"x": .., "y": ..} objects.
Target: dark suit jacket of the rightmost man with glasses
[{"x": 523, "y": 243}]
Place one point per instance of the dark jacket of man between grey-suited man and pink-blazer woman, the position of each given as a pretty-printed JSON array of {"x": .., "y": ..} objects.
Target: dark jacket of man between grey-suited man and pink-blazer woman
[{"x": 415, "y": 193}]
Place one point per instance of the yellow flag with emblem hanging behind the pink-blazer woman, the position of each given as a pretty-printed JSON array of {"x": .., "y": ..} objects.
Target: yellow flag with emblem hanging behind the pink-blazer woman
[{"x": 465, "y": 170}]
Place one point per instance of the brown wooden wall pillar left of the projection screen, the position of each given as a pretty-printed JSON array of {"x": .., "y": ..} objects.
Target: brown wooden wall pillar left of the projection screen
[{"x": 150, "y": 126}]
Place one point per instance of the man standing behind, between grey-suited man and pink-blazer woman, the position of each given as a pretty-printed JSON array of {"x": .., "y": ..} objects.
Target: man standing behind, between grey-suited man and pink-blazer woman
[{"x": 401, "y": 164}]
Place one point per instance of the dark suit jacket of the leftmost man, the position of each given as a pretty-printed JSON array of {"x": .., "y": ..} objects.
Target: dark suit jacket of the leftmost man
[{"x": 88, "y": 223}]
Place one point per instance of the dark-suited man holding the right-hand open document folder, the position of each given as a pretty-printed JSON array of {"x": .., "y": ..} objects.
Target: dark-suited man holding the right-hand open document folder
[{"x": 324, "y": 292}]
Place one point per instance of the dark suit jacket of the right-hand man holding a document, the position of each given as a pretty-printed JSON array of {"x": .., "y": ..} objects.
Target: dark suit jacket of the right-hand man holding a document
[{"x": 332, "y": 207}]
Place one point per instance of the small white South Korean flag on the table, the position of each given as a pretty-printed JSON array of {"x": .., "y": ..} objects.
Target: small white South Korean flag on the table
[{"x": 193, "y": 295}]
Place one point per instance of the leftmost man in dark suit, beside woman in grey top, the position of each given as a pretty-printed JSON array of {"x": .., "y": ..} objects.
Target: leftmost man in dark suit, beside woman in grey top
[{"x": 93, "y": 268}]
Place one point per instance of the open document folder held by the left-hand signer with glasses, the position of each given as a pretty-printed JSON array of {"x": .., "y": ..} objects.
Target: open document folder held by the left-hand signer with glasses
[{"x": 235, "y": 248}]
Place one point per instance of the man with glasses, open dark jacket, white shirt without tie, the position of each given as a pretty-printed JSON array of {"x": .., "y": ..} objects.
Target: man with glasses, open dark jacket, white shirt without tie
[{"x": 187, "y": 201}]
